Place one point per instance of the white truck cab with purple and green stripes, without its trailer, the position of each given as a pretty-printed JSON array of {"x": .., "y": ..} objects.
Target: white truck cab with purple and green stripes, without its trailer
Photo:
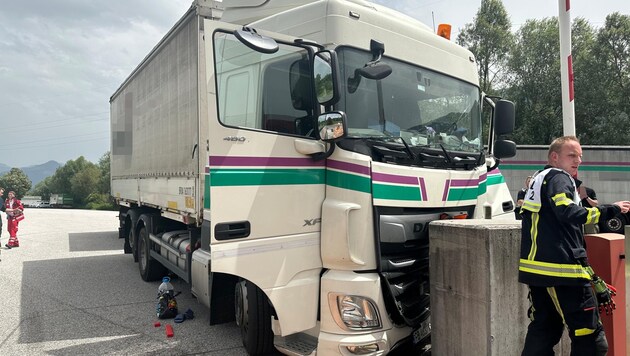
[{"x": 410, "y": 151}]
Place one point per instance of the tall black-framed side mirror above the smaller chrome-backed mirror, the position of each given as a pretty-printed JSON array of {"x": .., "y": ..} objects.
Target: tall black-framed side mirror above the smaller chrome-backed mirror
[{"x": 325, "y": 77}]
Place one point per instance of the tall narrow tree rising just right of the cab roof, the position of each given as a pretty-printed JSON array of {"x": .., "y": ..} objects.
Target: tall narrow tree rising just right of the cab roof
[{"x": 489, "y": 38}]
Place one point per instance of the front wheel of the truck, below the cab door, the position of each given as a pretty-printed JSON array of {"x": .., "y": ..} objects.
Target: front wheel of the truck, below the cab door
[{"x": 253, "y": 316}]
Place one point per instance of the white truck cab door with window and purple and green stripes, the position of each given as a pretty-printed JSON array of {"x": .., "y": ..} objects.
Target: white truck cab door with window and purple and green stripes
[{"x": 264, "y": 197}]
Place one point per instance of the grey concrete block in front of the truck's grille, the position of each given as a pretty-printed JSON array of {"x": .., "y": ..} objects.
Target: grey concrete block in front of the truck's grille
[{"x": 477, "y": 305}]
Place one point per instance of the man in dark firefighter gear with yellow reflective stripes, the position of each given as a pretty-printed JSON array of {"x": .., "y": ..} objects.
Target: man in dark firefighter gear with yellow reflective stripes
[{"x": 563, "y": 289}]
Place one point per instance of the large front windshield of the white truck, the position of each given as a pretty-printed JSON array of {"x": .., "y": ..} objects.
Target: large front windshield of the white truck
[{"x": 422, "y": 107}]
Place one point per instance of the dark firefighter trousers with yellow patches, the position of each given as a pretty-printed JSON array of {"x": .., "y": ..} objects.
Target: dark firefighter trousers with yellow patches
[{"x": 553, "y": 307}]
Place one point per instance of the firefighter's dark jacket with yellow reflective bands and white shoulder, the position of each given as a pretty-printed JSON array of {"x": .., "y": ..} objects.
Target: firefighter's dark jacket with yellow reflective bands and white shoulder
[{"x": 552, "y": 240}]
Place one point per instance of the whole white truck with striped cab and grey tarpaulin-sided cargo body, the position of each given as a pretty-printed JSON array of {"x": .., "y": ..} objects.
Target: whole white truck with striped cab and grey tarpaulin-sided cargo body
[{"x": 286, "y": 158}]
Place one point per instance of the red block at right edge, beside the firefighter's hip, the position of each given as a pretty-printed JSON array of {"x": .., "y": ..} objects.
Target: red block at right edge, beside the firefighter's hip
[{"x": 606, "y": 254}]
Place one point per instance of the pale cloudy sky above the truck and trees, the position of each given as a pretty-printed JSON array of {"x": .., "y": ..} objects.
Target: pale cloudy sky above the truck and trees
[{"x": 61, "y": 60}]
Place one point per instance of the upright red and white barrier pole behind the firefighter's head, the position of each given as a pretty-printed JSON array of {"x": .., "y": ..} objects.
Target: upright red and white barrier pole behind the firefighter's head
[{"x": 566, "y": 67}]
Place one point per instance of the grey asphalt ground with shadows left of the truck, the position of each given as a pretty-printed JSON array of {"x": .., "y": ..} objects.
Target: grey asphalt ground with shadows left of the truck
[{"x": 70, "y": 290}]
